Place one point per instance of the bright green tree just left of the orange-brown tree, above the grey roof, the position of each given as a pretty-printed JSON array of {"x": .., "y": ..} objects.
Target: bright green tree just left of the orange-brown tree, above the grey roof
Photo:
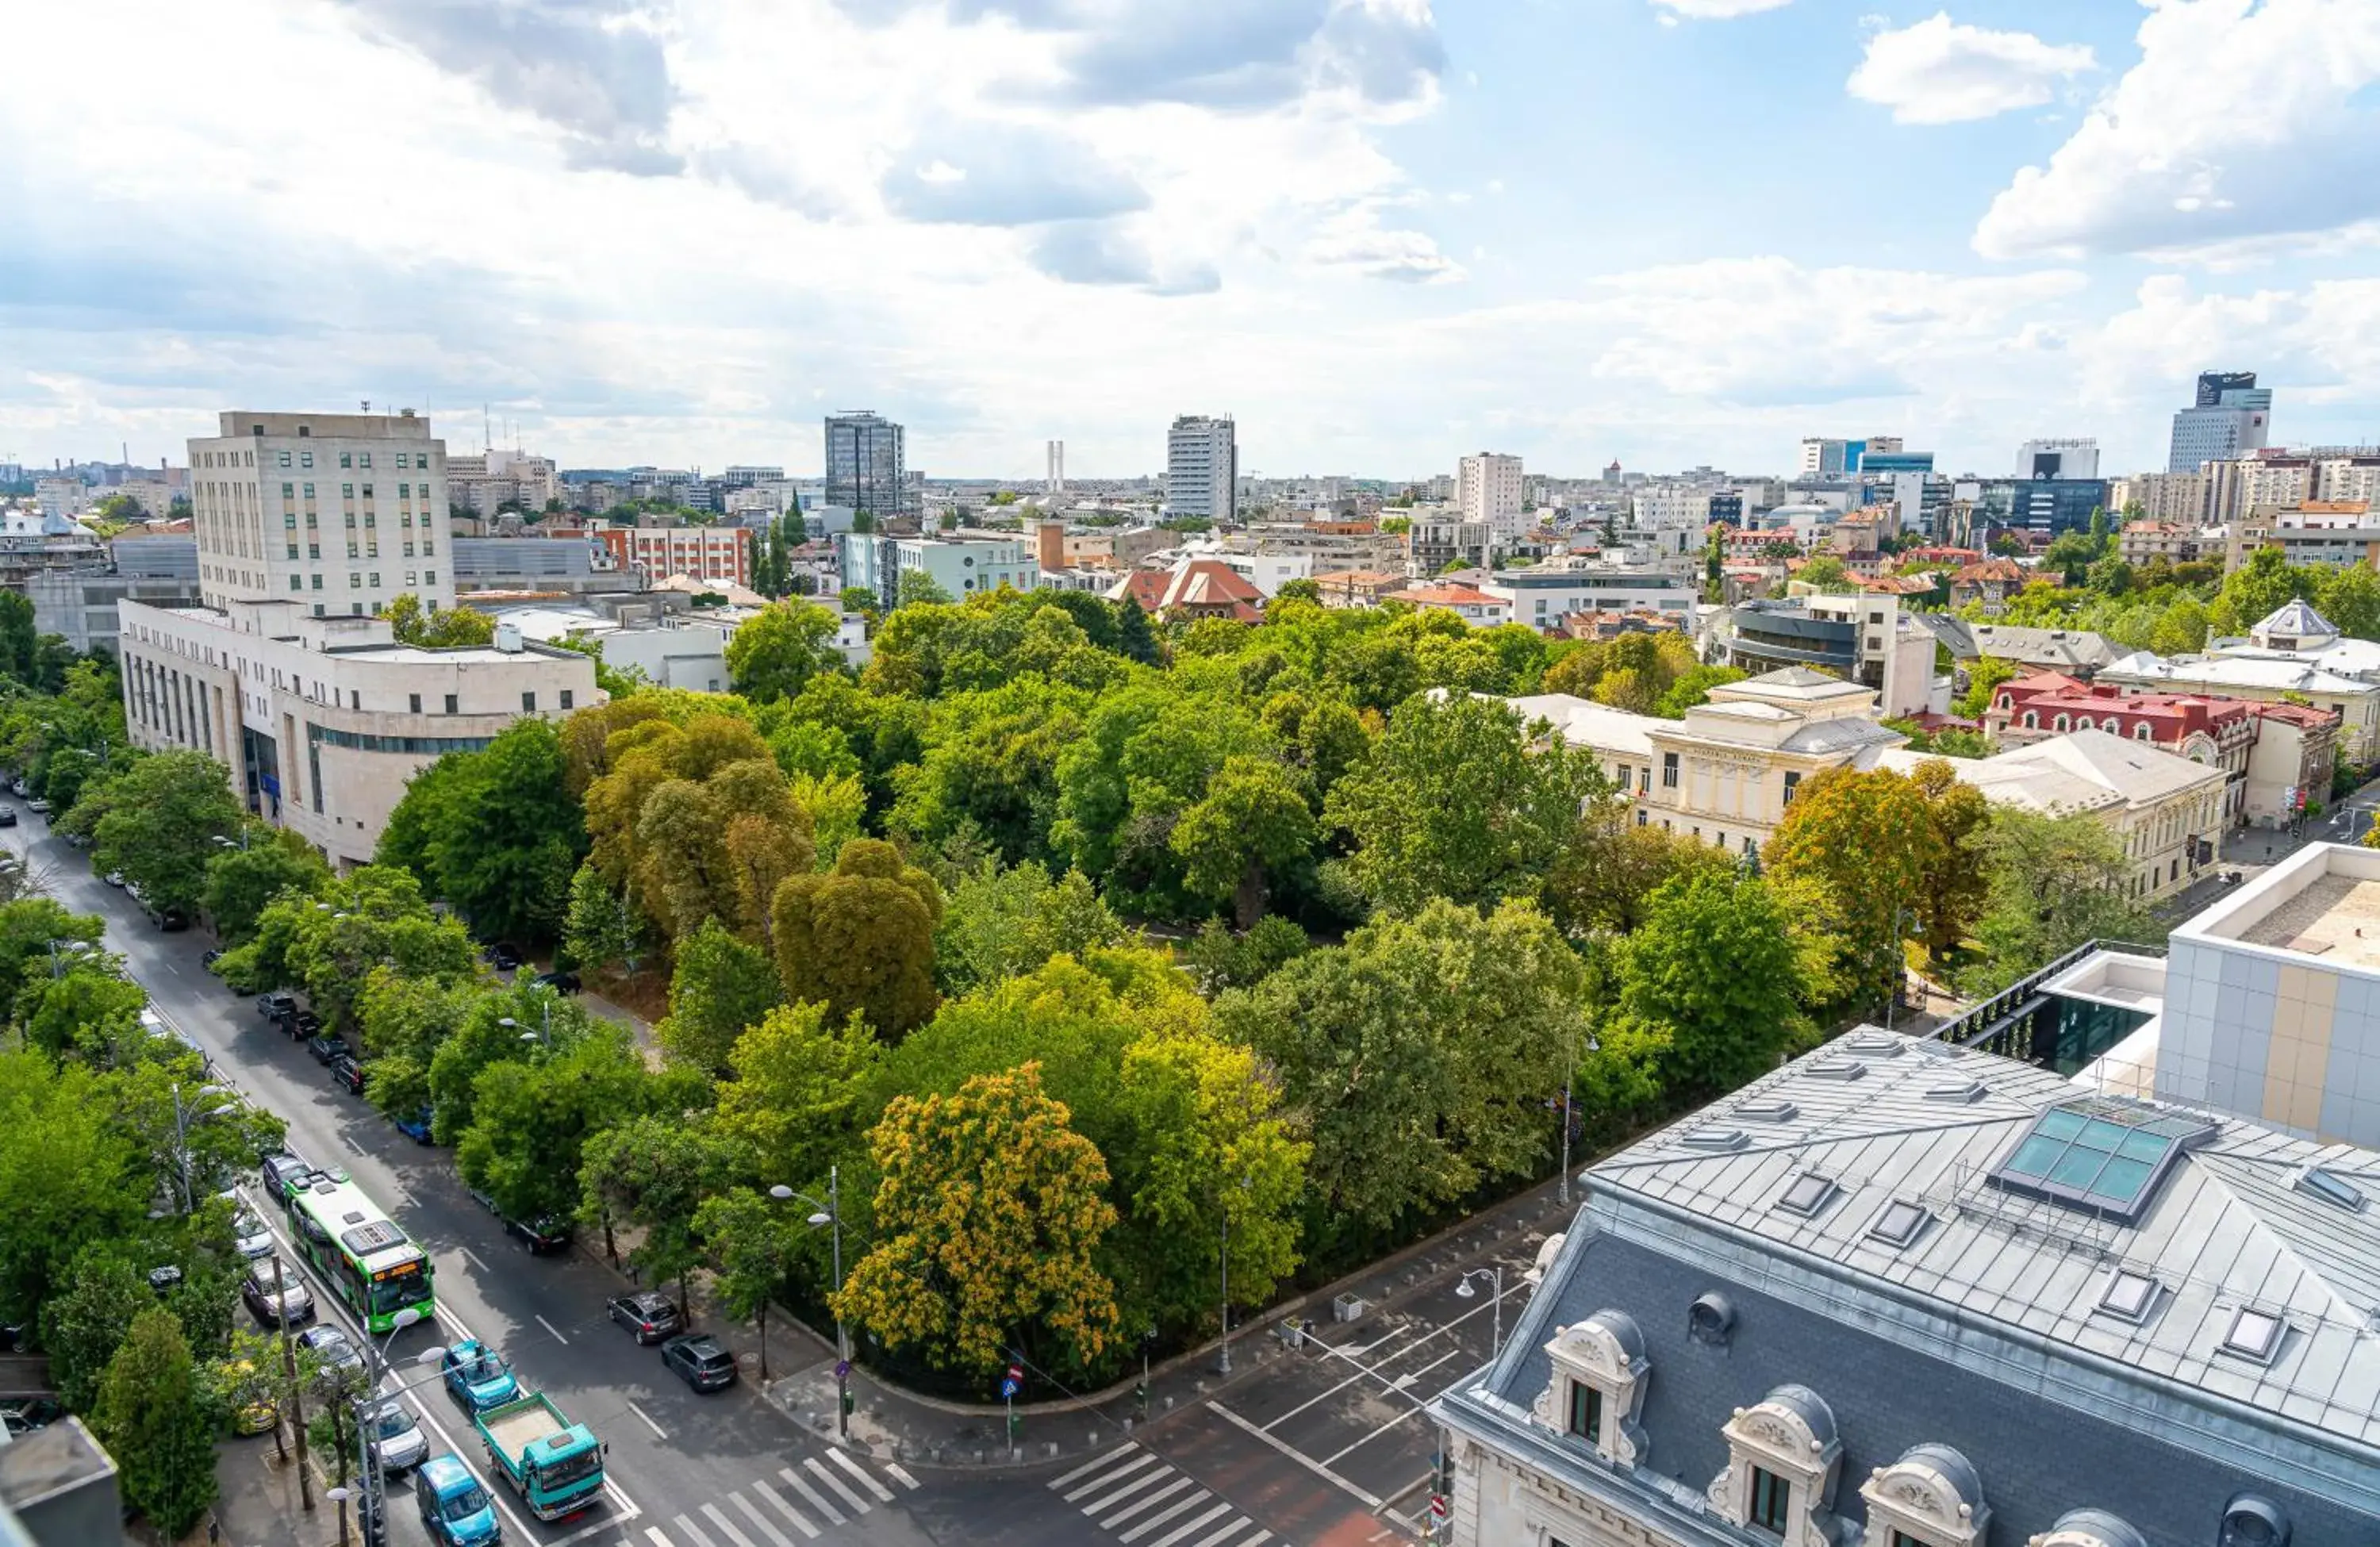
[{"x": 1715, "y": 975}]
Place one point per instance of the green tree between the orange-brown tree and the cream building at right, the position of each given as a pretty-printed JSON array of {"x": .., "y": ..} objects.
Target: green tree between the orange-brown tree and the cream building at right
[{"x": 2055, "y": 884}]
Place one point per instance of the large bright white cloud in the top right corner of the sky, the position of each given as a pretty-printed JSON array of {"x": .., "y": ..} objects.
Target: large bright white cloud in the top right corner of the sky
[{"x": 2238, "y": 123}]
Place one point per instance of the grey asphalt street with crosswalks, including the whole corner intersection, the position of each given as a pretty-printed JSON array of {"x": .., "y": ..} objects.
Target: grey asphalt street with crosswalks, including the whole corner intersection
[{"x": 1322, "y": 1446}]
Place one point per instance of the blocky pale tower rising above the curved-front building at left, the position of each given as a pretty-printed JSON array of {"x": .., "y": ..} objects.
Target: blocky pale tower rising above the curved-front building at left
[{"x": 334, "y": 513}]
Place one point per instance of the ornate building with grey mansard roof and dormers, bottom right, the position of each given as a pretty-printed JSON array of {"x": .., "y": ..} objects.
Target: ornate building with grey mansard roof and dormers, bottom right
[{"x": 1903, "y": 1296}]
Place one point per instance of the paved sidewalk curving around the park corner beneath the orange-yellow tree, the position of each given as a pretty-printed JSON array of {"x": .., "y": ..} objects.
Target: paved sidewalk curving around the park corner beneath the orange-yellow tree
[{"x": 925, "y": 1432}]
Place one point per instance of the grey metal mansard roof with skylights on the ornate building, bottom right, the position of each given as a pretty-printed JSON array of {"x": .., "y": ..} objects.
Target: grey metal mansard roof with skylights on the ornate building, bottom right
[{"x": 1986, "y": 1329}]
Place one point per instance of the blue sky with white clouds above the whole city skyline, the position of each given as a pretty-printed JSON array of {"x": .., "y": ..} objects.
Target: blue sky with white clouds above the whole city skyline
[{"x": 1377, "y": 232}]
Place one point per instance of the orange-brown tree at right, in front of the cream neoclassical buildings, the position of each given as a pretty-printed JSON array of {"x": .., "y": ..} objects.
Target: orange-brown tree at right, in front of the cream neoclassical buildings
[{"x": 1869, "y": 841}]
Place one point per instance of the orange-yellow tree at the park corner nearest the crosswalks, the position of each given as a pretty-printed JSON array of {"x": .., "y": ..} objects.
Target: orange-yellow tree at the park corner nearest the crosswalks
[{"x": 989, "y": 1217}]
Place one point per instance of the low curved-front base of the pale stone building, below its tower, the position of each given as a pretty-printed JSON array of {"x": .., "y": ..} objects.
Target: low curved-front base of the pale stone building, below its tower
[{"x": 325, "y": 718}]
